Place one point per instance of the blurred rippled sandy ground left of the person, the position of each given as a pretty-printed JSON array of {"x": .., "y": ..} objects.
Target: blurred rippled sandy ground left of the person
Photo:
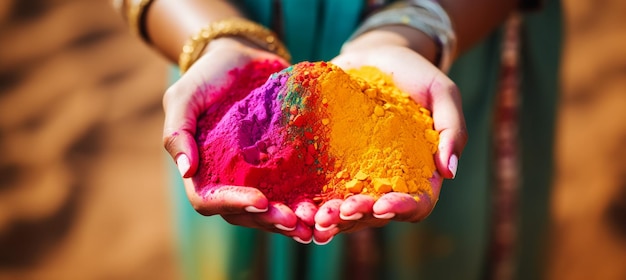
[{"x": 83, "y": 186}]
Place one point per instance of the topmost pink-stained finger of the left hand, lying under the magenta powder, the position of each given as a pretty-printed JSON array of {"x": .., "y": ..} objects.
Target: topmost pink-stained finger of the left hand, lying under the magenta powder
[{"x": 225, "y": 199}]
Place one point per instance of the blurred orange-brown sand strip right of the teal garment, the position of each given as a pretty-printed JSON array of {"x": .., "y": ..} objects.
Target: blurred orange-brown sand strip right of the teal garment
[{"x": 589, "y": 195}]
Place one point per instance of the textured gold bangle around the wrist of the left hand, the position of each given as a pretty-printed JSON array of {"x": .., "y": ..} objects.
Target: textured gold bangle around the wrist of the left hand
[{"x": 254, "y": 32}]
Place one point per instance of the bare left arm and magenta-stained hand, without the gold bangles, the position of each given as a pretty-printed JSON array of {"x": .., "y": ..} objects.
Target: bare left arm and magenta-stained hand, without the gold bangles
[{"x": 168, "y": 25}]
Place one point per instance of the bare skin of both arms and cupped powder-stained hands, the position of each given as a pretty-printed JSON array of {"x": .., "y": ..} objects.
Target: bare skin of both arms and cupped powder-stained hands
[{"x": 404, "y": 53}]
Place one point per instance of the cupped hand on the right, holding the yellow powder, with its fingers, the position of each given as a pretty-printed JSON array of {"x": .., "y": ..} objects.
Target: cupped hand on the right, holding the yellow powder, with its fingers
[{"x": 429, "y": 87}]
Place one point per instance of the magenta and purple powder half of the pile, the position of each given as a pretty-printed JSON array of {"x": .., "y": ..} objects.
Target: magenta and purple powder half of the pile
[{"x": 250, "y": 139}]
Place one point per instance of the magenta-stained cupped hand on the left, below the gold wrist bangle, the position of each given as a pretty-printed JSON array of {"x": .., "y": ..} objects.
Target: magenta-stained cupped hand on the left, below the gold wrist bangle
[{"x": 198, "y": 90}]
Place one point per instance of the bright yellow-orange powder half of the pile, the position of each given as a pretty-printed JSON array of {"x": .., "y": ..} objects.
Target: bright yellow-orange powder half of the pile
[{"x": 383, "y": 141}]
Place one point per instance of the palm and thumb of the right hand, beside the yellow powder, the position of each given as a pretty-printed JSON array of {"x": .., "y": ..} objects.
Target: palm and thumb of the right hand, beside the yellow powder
[{"x": 428, "y": 86}]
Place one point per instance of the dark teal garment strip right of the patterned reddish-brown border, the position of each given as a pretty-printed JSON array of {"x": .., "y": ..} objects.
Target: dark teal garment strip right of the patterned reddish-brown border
[{"x": 542, "y": 35}]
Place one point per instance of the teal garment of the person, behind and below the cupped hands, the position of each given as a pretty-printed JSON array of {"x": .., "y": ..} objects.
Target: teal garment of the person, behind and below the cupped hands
[{"x": 452, "y": 243}]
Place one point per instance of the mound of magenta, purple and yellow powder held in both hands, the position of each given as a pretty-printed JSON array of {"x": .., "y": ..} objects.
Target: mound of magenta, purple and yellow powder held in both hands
[{"x": 315, "y": 132}]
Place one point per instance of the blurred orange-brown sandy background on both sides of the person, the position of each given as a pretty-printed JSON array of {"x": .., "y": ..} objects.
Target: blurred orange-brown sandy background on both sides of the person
[{"x": 84, "y": 180}]
